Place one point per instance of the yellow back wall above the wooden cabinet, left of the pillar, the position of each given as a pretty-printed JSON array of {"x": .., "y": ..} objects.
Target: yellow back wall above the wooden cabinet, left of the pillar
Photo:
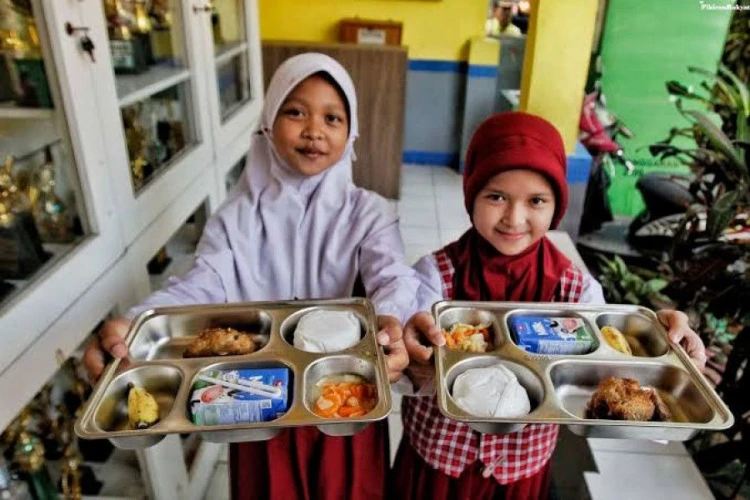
[{"x": 432, "y": 29}]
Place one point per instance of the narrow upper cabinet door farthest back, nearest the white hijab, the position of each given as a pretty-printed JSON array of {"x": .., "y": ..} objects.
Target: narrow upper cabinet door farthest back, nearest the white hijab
[{"x": 235, "y": 56}]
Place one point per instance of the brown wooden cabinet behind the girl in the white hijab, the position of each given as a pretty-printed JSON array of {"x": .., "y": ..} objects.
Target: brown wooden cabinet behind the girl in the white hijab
[{"x": 379, "y": 75}]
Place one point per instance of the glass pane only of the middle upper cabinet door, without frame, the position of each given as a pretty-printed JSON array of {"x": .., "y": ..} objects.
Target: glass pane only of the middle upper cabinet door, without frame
[{"x": 152, "y": 76}]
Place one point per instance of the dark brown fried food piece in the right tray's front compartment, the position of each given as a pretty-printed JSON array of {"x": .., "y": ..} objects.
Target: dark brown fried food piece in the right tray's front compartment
[{"x": 624, "y": 399}]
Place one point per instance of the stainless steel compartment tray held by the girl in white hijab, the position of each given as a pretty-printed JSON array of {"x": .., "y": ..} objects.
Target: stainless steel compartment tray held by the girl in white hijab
[{"x": 158, "y": 337}]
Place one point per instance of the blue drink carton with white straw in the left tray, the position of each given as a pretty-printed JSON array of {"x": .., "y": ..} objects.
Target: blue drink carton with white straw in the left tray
[{"x": 222, "y": 397}]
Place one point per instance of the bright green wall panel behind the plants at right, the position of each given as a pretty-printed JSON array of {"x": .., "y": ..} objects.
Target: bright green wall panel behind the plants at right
[{"x": 645, "y": 44}]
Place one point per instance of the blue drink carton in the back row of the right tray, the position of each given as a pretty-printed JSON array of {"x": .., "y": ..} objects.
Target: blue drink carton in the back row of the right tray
[{"x": 550, "y": 335}]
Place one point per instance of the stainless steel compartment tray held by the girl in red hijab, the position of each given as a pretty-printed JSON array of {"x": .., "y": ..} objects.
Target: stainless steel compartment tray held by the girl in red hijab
[{"x": 560, "y": 386}]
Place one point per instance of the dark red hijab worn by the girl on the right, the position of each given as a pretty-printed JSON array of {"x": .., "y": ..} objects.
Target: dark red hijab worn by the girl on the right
[{"x": 510, "y": 141}]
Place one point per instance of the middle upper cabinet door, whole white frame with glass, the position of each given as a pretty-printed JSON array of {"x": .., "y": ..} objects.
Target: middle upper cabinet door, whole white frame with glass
[{"x": 153, "y": 100}]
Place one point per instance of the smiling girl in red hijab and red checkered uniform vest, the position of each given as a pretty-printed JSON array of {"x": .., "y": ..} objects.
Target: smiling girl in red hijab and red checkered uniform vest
[{"x": 515, "y": 191}]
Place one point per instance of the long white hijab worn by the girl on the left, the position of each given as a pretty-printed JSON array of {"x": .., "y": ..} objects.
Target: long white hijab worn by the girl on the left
[{"x": 283, "y": 235}]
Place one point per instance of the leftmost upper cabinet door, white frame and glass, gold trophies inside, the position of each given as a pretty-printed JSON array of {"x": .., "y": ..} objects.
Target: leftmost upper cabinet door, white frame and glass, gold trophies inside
[{"x": 58, "y": 228}]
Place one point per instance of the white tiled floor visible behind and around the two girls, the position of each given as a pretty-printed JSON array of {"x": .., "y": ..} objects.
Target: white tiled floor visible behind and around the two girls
[{"x": 431, "y": 215}]
